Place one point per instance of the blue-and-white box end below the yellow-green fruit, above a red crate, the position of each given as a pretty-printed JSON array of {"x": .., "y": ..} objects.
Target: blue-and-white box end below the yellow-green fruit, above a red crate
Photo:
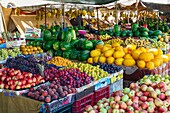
[{"x": 101, "y": 83}]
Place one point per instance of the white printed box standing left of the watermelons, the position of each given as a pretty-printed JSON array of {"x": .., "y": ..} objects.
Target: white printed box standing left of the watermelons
[{"x": 32, "y": 33}]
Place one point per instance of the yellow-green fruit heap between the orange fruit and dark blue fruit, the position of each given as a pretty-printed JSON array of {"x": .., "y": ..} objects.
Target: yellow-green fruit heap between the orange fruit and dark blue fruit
[{"x": 93, "y": 71}]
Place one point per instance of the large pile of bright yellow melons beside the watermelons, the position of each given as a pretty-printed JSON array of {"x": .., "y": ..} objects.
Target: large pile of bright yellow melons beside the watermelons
[{"x": 128, "y": 56}]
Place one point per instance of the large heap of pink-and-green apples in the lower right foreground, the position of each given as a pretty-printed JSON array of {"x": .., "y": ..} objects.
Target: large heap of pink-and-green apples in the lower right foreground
[{"x": 139, "y": 98}]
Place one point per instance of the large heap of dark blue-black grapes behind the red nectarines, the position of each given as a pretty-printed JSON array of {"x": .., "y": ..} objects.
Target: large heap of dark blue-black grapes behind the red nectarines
[{"x": 25, "y": 64}]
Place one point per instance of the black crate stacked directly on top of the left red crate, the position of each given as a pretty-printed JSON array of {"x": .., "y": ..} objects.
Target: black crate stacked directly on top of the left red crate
[{"x": 84, "y": 92}]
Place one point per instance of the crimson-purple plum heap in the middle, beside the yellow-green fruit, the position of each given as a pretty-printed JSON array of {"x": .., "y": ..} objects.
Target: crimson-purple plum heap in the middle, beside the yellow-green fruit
[{"x": 72, "y": 77}]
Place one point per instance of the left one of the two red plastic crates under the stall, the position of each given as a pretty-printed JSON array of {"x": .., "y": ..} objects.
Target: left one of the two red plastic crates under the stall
[{"x": 79, "y": 105}]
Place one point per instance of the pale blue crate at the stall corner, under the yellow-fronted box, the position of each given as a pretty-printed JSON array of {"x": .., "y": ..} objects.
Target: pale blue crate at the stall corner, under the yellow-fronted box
[{"x": 116, "y": 86}]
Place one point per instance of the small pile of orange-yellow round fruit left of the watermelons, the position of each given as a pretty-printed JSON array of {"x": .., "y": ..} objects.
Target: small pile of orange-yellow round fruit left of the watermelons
[{"x": 30, "y": 50}]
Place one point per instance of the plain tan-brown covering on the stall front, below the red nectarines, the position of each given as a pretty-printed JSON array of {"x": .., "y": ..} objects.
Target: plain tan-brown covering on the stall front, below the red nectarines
[{"x": 18, "y": 104}]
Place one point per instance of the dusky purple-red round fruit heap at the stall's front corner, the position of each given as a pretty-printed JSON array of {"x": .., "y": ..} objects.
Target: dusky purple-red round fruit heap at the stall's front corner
[{"x": 48, "y": 93}]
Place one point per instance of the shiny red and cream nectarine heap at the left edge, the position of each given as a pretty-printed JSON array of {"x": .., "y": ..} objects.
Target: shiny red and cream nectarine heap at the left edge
[{"x": 15, "y": 79}]
